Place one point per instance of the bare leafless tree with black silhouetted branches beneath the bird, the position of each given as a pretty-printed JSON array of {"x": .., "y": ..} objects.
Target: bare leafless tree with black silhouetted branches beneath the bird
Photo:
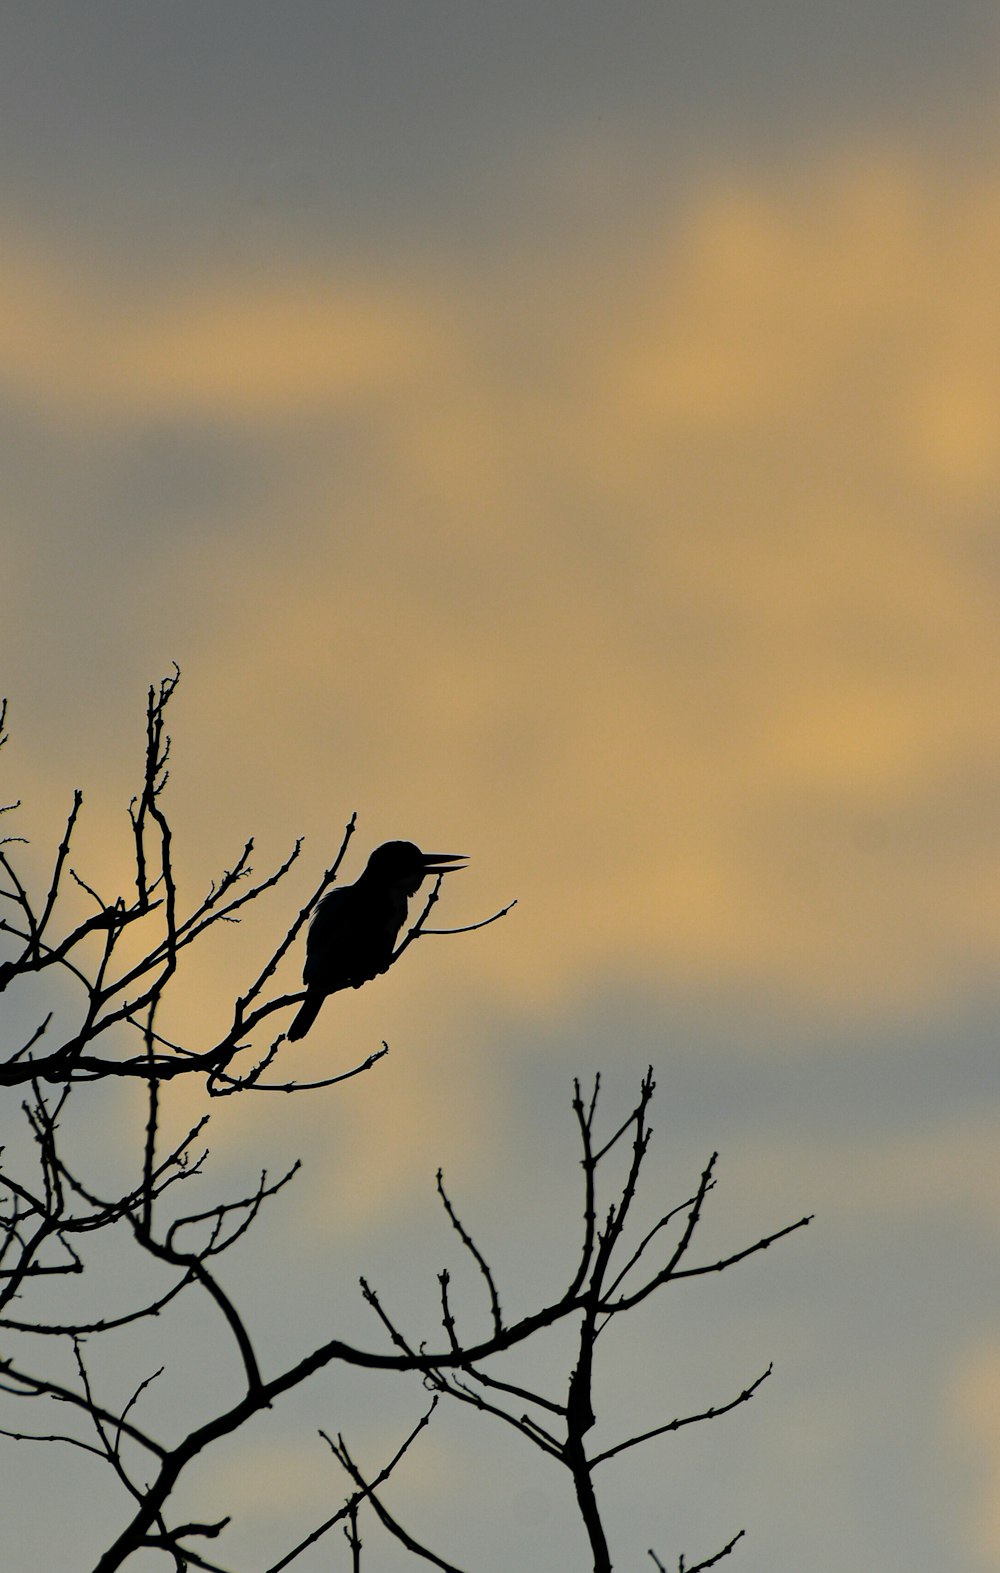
[{"x": 119, "y": 962}]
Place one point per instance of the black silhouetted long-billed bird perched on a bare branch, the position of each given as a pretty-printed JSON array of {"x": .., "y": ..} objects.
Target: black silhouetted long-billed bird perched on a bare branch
[{"x": 355, "y": 932}]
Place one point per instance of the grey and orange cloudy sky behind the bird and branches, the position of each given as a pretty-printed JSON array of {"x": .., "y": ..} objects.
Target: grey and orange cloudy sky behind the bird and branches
[{"x": 570, "y": 437}]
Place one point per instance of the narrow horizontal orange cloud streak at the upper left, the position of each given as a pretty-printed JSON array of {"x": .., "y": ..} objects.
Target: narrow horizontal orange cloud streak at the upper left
[{"x": 233, "y": 350}]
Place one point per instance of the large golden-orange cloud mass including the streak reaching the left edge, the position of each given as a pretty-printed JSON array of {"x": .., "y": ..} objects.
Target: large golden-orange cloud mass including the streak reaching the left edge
[{"x": 660, "y": 580}]
